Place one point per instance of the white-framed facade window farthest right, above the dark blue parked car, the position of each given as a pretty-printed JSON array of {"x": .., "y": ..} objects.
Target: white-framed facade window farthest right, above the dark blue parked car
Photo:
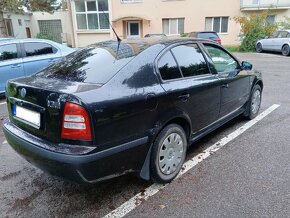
[{"x": 217, "y": 24}]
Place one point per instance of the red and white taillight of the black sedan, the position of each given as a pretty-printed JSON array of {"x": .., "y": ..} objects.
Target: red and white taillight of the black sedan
[{"x": 75, "y": 123}]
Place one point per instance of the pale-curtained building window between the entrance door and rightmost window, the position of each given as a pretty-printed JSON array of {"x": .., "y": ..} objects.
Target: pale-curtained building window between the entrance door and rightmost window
[{"x": 173, "y": 26}]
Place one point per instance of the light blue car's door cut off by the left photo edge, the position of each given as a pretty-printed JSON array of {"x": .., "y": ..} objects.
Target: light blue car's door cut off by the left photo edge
[{"x": 10, "y": 63}]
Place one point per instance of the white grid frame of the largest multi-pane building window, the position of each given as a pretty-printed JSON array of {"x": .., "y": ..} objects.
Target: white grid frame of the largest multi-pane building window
[{"x": 86, "y": 12}]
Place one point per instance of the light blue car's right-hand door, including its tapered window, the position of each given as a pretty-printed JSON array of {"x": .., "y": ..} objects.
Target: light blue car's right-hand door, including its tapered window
[{"x": 38, "y": 55}]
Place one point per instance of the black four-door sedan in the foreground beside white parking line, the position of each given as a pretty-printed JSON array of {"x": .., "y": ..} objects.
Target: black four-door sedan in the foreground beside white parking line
[{"x": 110, "y": 109}]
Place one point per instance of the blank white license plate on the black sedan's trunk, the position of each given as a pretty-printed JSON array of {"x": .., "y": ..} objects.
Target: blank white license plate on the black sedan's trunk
[{"x": 31, "y": 117}]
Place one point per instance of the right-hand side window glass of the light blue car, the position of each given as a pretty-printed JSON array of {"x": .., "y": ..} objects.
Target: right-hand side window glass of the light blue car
[{"x": 38, "y": 48}]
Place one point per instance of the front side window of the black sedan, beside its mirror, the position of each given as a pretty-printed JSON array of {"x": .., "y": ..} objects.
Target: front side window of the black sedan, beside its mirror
[{"x": 223, "y": 62}]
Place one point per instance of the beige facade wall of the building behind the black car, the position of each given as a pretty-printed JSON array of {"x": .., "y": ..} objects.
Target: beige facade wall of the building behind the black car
[{"x": 194, "y": 12}]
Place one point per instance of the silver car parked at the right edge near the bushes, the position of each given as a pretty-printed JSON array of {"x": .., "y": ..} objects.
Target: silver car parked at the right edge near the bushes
[{"x": 279, "y": 41}]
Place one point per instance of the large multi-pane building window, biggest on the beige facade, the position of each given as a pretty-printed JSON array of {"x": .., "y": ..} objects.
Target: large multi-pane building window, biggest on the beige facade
[{"x": 92, "y": 15}]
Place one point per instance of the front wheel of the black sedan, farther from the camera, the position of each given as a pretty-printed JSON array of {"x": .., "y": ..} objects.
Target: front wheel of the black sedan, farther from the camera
[{"x": 254, "y": 103}]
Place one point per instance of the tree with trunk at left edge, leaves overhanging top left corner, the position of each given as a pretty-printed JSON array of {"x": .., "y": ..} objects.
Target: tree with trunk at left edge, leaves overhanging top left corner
[{"x": 18, "y": 6}]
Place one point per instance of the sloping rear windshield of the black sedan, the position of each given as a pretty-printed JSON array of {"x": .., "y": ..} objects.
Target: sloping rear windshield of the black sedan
[{"x": 94, "y": 64}]
